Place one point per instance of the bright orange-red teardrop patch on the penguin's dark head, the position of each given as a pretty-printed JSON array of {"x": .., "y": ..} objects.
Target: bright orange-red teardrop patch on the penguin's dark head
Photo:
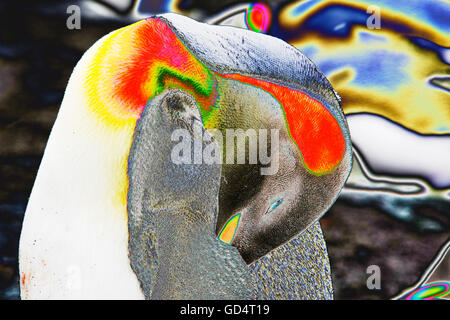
[{"x": 310, "y": 124}]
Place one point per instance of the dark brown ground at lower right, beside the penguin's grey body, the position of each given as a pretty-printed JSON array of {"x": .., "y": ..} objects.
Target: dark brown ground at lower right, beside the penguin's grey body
[{"x": 358, "y": 237}]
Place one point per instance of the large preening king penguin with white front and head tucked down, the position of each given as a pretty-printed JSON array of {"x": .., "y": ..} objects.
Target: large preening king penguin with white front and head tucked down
[{"x": 82, "y": 234}]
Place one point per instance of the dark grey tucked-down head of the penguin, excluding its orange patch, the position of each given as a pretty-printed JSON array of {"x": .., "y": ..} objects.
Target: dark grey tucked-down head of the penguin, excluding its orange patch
[{"x": 259, "y": 212}]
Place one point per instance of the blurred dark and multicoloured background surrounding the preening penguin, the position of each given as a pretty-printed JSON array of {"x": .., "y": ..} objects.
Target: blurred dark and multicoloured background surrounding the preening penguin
[{"x": 388, "y": 60}]
